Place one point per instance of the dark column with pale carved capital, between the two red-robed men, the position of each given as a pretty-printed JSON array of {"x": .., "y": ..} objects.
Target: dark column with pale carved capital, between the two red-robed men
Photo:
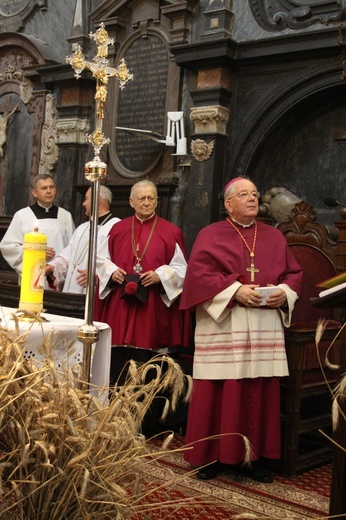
[{"x": 203, "y": 184}]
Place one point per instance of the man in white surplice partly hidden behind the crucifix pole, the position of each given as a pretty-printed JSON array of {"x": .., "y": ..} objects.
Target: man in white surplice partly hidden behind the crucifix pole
[{"x": 70, "y": 267}]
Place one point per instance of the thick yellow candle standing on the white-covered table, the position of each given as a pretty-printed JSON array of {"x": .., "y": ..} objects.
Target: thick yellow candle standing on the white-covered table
[{"x": 34, "y": 262}]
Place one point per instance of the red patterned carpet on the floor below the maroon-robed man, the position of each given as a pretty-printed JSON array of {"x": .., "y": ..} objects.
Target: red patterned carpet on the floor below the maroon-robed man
[{"x": 234, "y": 496}]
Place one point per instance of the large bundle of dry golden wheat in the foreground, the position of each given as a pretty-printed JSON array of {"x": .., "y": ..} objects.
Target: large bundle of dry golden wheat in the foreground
[{"x": 67, "y": 456}]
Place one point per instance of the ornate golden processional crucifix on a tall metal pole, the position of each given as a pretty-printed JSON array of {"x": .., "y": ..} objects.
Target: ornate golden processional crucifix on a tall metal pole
[{"x": 95, "y": 171}]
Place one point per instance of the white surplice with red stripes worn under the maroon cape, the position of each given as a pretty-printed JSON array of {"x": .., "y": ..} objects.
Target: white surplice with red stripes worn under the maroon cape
[{"x": 240, "y": 342}]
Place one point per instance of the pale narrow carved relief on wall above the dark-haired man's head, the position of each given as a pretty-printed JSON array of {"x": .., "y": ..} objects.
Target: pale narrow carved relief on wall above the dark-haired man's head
[{"x": 49, "y": 148}]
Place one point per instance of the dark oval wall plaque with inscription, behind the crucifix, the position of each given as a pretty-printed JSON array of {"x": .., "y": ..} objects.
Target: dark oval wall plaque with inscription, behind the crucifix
[{"x": 142, "y": 105}]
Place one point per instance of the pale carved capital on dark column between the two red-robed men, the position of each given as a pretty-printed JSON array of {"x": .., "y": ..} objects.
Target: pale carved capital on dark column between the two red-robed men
[{"x": 212, "y": 119}]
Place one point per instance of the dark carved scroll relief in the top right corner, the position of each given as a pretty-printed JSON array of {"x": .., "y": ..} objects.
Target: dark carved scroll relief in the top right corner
[{"x": 277, "y": 15}]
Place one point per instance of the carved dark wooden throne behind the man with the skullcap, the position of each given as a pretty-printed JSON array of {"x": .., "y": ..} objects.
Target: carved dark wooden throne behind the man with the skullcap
[{"x": 306, "y": 400}]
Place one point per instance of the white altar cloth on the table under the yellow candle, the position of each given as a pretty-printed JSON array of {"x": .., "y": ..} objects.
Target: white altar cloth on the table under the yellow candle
[{"x": 66, "y": 350}]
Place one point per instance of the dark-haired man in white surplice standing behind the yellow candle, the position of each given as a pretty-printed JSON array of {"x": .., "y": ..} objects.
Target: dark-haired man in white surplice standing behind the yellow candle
[{"x": 53, "y": 221}]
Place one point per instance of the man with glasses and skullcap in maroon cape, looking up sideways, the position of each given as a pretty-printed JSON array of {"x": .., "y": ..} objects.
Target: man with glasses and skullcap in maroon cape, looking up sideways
[{"x": 243, "y": 282}]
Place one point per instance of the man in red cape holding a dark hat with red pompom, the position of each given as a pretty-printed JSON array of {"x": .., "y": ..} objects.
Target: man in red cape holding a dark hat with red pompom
[{"x": 140, "y": 286}]
